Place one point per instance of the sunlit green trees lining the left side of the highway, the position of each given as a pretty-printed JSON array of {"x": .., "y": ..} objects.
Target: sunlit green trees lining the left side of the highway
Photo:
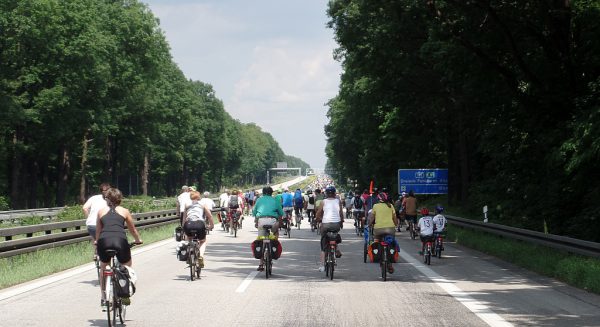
[{"x": 89, "y": 93}]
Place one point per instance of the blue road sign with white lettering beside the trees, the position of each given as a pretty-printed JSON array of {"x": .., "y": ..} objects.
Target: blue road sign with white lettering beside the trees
[{"x": 423, "y": 181}]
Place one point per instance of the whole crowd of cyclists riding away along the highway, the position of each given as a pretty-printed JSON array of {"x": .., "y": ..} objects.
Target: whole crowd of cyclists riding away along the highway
[{"x": 377, "y": 210}]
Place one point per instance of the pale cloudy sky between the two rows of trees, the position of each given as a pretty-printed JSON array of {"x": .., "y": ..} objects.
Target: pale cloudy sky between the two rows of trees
[{"x": 269, "y": 61}]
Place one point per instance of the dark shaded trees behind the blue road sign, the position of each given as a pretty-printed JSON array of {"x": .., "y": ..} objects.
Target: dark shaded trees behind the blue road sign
[{"x": 505, "y": 94}]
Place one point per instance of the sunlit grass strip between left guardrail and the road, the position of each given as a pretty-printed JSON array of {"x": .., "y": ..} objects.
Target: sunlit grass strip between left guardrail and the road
[{"x": 25, "y": 267}]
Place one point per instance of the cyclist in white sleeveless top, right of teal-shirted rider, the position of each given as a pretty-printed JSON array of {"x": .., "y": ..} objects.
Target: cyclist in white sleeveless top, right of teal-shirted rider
[{"x": 330, "y": 214}]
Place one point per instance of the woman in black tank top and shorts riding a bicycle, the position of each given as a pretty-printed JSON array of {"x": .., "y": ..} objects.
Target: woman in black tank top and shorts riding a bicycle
[{"x": 110, "y": 234}]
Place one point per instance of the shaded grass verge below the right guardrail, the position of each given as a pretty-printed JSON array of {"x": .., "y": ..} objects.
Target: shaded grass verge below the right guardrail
[{"x": 578, "y": 271}]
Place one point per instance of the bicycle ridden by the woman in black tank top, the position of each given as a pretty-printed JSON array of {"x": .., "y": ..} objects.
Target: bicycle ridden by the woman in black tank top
[{"x": 114, "y": 305}]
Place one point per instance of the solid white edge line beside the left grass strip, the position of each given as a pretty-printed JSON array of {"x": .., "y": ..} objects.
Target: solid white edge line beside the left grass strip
[{"x": 30, "y": 286}]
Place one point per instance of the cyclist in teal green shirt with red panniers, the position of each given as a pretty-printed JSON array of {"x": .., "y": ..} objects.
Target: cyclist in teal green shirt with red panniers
[{"x": 267, "y": 211}]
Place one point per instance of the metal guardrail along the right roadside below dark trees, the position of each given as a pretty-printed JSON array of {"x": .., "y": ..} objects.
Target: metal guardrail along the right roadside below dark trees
[{"x": 572, "y": 245}]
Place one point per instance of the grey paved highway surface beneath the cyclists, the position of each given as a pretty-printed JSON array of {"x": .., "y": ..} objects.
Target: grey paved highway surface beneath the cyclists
[{"x": 464, "y": 288}]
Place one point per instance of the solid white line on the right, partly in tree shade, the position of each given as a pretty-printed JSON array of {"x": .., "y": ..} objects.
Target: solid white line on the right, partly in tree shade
[{"x": 482, "y": 311}]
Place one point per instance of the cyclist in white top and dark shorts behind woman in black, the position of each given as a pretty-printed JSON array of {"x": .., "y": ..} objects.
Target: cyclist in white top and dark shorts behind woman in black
[{"x": 197, "y": 219}]
